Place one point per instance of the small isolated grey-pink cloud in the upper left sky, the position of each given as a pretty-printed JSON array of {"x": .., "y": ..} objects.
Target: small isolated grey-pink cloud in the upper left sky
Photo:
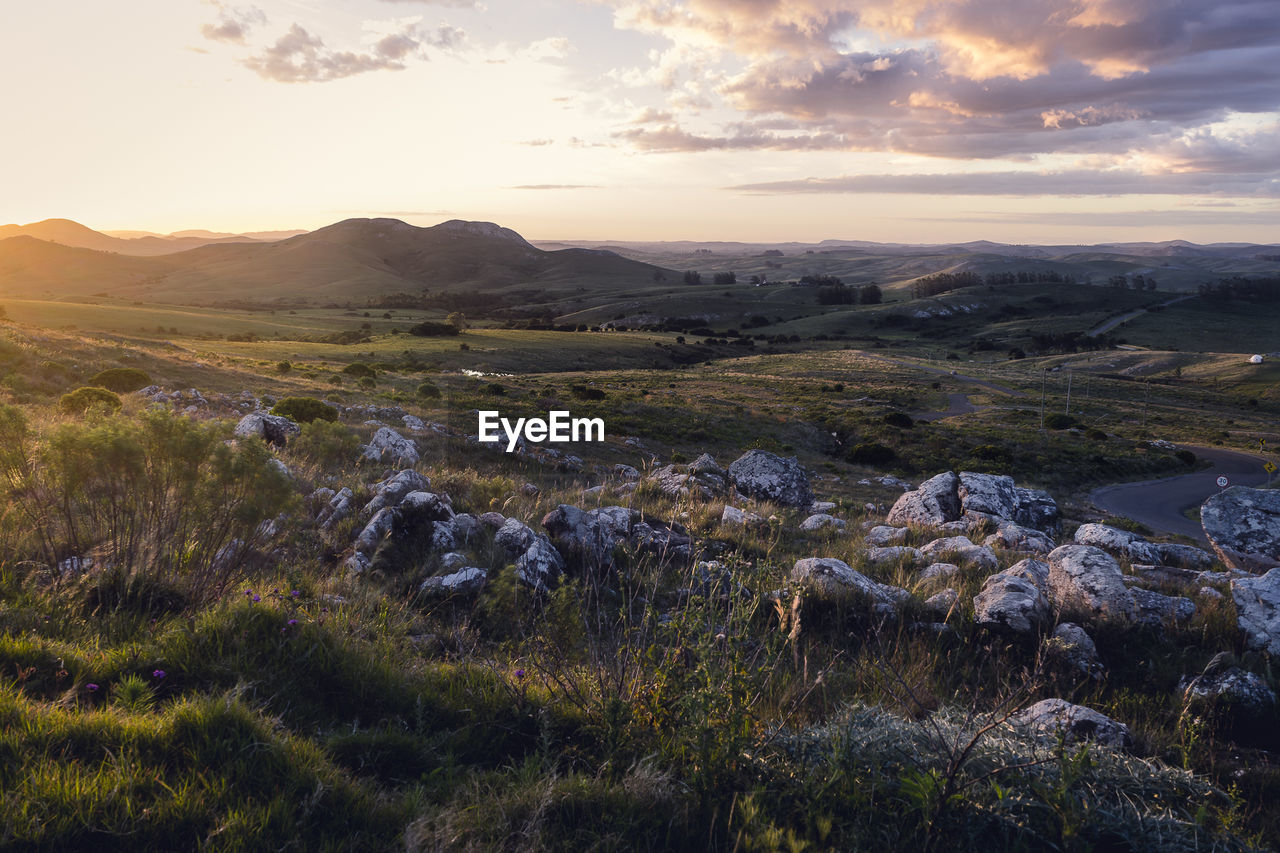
[{"x": 300, "y": 57}]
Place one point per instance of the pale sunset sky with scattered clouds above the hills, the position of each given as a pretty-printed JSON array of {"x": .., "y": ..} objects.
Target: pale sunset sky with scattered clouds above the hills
[{"x": 898, "y": 121}]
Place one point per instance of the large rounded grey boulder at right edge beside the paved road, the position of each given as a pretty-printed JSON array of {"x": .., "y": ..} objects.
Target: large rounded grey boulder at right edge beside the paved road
[{"x": 1244, "y": 527}]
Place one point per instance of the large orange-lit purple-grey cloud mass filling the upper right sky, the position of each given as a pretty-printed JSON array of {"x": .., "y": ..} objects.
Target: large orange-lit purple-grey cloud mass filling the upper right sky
[{"x": 959, "y": 79}]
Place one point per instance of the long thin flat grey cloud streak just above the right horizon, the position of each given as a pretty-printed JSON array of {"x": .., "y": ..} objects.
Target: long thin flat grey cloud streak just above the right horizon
[{"x": 1075, "y": 183}]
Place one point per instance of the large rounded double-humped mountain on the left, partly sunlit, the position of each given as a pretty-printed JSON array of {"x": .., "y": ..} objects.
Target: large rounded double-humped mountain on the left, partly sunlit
[{"x": 350, "y": 262}]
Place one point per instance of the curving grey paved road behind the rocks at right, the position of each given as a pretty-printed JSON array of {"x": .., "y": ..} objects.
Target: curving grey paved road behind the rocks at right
[{"x": 1160, "y": 504}]
